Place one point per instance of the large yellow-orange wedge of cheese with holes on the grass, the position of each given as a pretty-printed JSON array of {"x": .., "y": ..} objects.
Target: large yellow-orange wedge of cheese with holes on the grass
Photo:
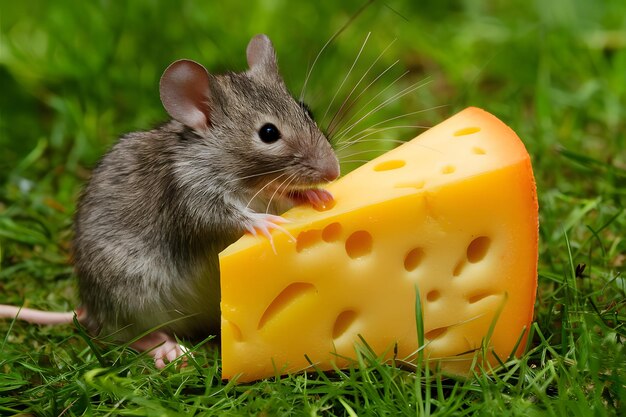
[{"x": 451, "y": 216}]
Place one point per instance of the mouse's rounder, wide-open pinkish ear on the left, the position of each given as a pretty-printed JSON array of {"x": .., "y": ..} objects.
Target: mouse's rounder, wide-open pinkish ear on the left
[{"x": 184, "y": 90}]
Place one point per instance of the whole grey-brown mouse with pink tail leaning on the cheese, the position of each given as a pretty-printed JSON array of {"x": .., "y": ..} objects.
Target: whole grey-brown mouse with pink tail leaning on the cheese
[{"x": 162, "y": 204}]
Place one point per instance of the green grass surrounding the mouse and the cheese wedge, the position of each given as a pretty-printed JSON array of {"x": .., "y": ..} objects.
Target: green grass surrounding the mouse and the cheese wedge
[{"x": 75, "y": 75}]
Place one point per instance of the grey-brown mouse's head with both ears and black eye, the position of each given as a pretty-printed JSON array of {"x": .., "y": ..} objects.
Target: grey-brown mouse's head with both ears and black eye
[{"x": 266, "y": 136}]
